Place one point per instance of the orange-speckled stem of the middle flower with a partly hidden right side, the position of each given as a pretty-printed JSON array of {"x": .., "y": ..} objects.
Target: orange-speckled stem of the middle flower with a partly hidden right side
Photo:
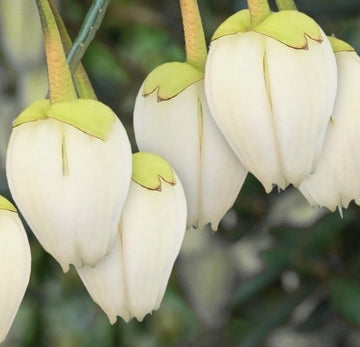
[{"x": 195, "y": 44}]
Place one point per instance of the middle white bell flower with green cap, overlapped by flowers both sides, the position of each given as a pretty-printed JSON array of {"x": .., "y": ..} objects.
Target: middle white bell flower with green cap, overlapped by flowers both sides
[{"x": 172, "y": 119}]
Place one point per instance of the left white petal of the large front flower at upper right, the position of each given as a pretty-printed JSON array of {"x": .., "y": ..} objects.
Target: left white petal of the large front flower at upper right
[{"x": 236, "y": 91}]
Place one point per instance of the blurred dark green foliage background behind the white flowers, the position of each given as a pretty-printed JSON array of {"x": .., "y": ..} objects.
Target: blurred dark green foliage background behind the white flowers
[{"x": 277, "y": 273}]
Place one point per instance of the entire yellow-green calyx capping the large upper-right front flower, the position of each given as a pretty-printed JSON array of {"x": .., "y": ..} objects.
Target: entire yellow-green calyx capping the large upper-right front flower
[{"x": 291, "y": 28}]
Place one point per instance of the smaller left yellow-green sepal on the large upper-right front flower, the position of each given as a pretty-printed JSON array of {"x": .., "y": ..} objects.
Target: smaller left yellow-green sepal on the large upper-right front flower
[{"x": 237, "y": 23}]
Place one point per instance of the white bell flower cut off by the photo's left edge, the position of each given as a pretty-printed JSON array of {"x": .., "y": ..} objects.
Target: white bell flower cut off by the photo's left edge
[{"x": 15, "y": 265}]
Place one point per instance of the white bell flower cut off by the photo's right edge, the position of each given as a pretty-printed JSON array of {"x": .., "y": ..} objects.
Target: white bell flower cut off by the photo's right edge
[{"x": 336, "y": 180}]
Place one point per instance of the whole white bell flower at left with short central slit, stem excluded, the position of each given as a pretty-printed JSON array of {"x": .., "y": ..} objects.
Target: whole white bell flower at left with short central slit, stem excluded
[{"x": 69, "y": 168}]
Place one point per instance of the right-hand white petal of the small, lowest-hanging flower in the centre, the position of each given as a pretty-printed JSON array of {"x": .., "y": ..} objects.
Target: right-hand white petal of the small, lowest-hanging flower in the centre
[{"x": 151, "y": 239}]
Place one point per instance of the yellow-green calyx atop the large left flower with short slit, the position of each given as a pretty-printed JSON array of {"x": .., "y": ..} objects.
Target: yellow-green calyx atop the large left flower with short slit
[{"x": 90, "y": 116}]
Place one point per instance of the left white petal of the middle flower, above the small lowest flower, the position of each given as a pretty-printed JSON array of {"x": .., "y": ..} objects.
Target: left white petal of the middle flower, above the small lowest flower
[{"x": 170, "y": 128}]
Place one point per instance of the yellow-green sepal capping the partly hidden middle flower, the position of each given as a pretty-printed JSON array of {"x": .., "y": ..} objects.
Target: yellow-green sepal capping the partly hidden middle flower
[{"x": 170, "y": 79}]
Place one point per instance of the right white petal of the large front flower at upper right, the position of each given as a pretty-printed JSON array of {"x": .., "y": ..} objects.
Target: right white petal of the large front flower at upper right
[{"x": 301, "y": 87}]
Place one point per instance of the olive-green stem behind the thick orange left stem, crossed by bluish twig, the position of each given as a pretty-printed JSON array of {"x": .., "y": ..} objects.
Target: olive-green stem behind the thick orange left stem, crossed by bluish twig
[{"x": 81, "y": 79}]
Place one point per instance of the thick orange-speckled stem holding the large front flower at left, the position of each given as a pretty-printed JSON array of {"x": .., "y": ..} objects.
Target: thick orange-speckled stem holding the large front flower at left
[{"x": 60, "y": 82}]
